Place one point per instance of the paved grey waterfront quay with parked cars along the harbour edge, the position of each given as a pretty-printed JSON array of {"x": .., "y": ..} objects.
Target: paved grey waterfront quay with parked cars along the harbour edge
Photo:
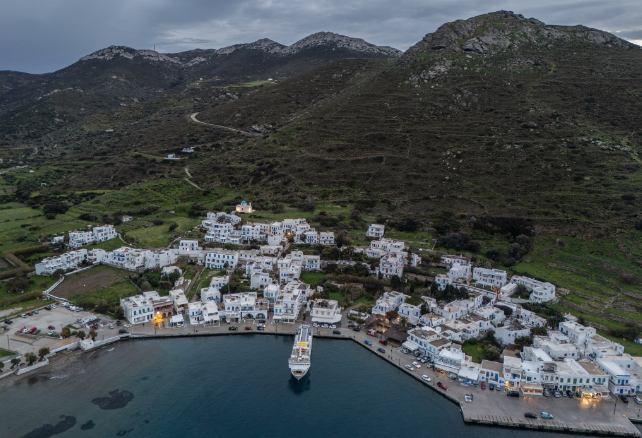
[{"x": 488, "y": 407}]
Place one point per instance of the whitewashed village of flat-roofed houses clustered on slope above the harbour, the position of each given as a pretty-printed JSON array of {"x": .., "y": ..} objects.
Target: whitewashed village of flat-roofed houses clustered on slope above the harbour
[{"x": 537, "y": 358}]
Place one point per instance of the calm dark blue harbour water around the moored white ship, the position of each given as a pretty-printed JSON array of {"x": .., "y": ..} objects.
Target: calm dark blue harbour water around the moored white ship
[{"x": 233, "y": 386}]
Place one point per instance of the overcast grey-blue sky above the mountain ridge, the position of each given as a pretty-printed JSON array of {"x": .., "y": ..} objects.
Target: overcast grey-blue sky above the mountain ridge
[{"x": 38, "y": 36}]
